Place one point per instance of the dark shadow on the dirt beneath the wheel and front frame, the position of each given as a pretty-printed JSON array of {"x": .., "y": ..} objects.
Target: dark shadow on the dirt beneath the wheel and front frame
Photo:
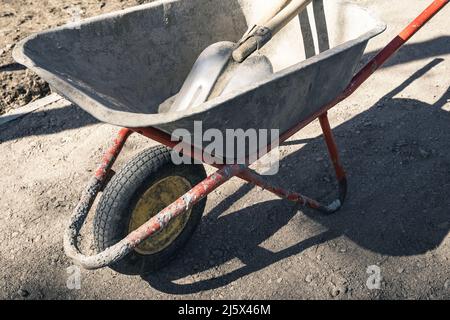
[{"x": 237, "y": 235}]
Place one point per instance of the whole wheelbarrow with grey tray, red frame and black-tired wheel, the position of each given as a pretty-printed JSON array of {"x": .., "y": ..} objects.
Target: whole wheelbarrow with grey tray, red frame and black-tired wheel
[{"x": 124, "y": 67}]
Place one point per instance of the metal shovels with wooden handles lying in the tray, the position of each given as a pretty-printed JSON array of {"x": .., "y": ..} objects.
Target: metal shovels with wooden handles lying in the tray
[{"x": 226, "y": 66}]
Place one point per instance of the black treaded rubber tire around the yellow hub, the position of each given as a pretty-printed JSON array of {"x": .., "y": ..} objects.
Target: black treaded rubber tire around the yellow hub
[{"x": 112, "y": 218}]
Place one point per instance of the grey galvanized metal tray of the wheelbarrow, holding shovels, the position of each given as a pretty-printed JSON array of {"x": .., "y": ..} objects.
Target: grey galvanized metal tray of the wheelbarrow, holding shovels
[{"x": 121, "y": 67}]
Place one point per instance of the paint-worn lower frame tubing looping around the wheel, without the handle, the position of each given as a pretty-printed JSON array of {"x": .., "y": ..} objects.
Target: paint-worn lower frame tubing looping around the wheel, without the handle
[{"x": 180, "y": 206}]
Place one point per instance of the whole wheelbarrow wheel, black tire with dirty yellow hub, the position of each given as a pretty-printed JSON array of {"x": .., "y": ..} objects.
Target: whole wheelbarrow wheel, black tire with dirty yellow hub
[{"x": 142, "y": 188}]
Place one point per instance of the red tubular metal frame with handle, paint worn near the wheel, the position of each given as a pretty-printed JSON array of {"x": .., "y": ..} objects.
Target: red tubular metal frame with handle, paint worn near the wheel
[{"x": 225, "y": 172}]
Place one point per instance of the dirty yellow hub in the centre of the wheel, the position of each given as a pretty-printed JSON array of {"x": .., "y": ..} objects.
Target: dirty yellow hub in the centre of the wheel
[{"x": 159, "y": 196}]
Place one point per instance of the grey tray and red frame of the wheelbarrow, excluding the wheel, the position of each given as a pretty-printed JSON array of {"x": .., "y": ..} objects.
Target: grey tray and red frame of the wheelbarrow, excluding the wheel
[{"x": 124, "y": 67}]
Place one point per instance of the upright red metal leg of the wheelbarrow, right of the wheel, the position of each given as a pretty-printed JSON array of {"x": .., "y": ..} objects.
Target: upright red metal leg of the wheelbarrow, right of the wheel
[{"x": 334, "y": 156}]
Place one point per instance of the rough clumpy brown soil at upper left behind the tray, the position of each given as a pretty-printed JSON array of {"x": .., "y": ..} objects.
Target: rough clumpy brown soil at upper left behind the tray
[{"x": 19, "y": 19}]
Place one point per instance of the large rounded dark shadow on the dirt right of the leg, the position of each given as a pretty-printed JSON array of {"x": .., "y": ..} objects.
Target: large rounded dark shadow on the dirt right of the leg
[{"x": 397, "y": 155}]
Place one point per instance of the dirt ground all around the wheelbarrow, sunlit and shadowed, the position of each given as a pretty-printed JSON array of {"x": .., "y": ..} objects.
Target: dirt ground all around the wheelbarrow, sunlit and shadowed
[{"x": 394, "y": 137}]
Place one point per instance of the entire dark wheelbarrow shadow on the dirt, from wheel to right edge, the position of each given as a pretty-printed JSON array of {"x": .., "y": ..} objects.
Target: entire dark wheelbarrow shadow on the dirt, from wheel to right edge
[{"x": 398, "y": 157}]
